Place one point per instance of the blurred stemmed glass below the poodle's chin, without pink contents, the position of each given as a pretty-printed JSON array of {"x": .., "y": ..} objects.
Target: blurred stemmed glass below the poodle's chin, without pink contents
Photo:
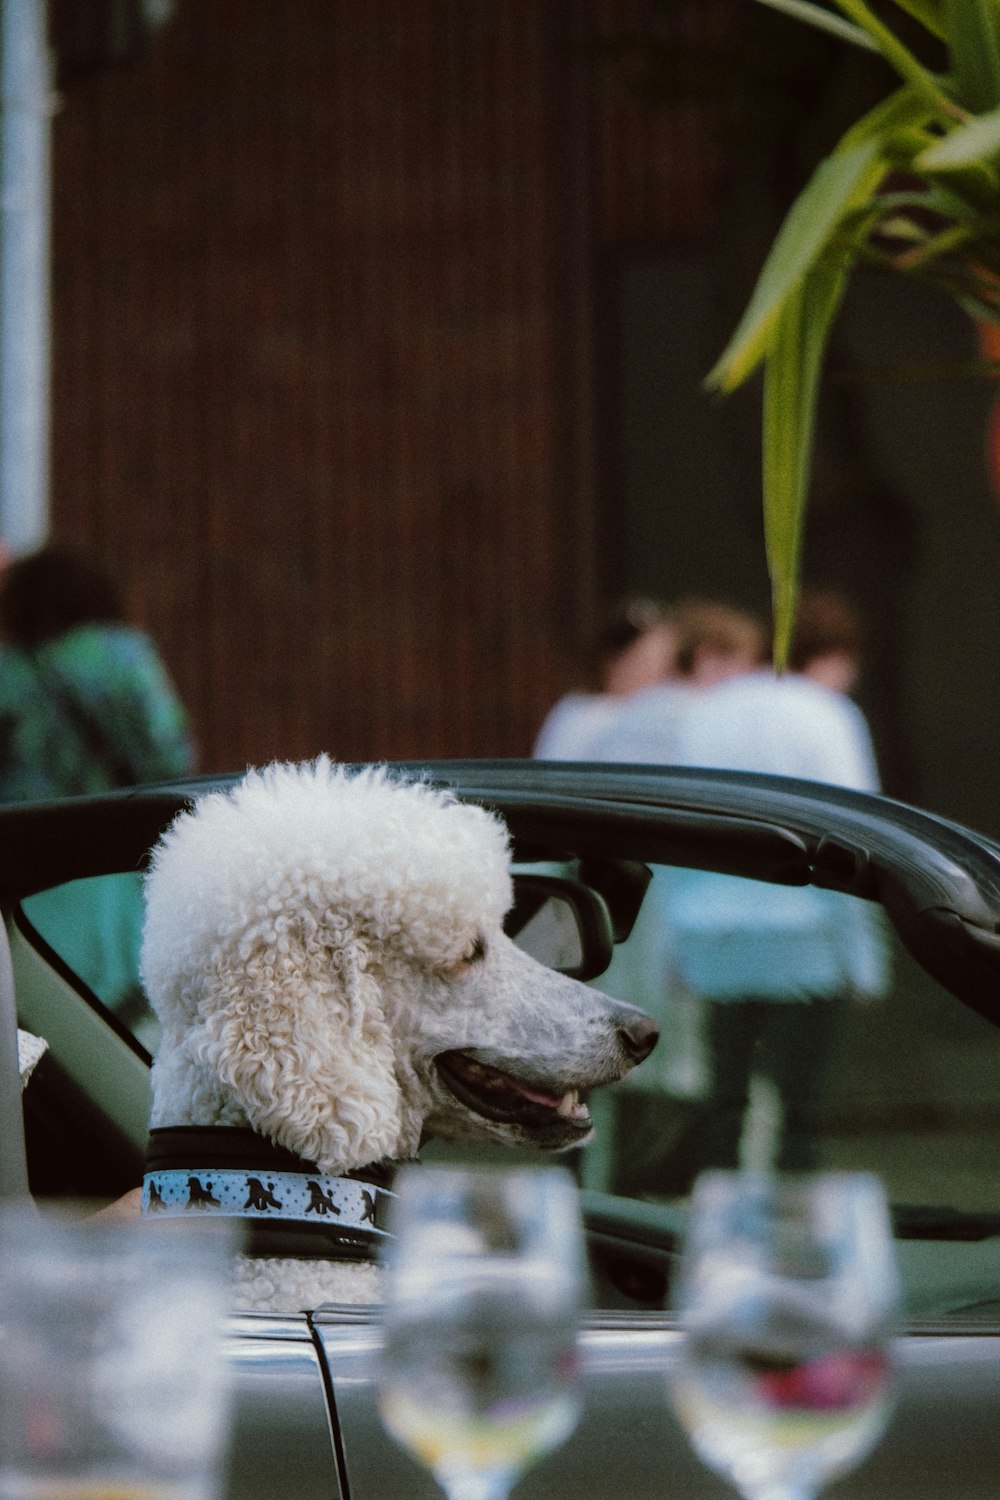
[{"x": 484, "y": 1288}]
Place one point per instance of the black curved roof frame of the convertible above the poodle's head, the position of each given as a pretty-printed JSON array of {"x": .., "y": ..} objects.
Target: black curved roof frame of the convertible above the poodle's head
[{"x": 939, "y": 884}]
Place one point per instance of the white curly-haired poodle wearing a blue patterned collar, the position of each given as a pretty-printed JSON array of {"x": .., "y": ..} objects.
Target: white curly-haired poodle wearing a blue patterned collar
[{"x": 325, "y": 950}]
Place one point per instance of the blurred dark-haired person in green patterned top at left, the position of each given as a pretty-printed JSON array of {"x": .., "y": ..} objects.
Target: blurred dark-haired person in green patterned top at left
[{"x": 86, "y": 706}]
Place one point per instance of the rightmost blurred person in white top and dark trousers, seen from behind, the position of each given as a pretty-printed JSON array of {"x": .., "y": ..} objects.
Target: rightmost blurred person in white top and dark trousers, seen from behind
[{"x": 774, "y": 962}]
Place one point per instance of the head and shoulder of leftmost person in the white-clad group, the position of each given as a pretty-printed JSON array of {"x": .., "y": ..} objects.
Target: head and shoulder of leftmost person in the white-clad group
[{"x": 636, "y": 646}]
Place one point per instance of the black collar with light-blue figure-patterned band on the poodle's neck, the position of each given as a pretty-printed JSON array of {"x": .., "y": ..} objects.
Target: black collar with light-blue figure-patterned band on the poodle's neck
[{"x": 290, "y": 1208}]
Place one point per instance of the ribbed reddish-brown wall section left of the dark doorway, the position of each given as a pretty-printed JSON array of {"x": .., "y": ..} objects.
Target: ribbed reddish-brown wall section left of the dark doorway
[{"x": 320, "y": 275}]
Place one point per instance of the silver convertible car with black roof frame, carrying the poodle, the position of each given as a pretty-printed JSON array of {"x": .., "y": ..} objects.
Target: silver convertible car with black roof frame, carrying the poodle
[{"x": 912, "y": 1093}]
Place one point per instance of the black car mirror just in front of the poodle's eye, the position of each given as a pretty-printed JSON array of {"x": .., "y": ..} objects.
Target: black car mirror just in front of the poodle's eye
[{"x": 563, "y": 925}]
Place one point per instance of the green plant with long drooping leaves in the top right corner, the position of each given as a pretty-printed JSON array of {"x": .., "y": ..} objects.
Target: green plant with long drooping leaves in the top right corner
[{"x": 914, "y": 188}]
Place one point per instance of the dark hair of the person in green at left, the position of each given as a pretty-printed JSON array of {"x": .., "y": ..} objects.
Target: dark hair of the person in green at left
[{"x": 53, "y": 590}]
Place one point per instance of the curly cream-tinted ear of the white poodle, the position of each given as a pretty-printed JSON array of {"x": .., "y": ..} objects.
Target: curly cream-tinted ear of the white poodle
[{"x": 295, "y": 1028}]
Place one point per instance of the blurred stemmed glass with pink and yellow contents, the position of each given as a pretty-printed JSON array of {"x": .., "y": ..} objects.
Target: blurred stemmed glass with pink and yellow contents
[{"x": 788, "y": 1298}]
